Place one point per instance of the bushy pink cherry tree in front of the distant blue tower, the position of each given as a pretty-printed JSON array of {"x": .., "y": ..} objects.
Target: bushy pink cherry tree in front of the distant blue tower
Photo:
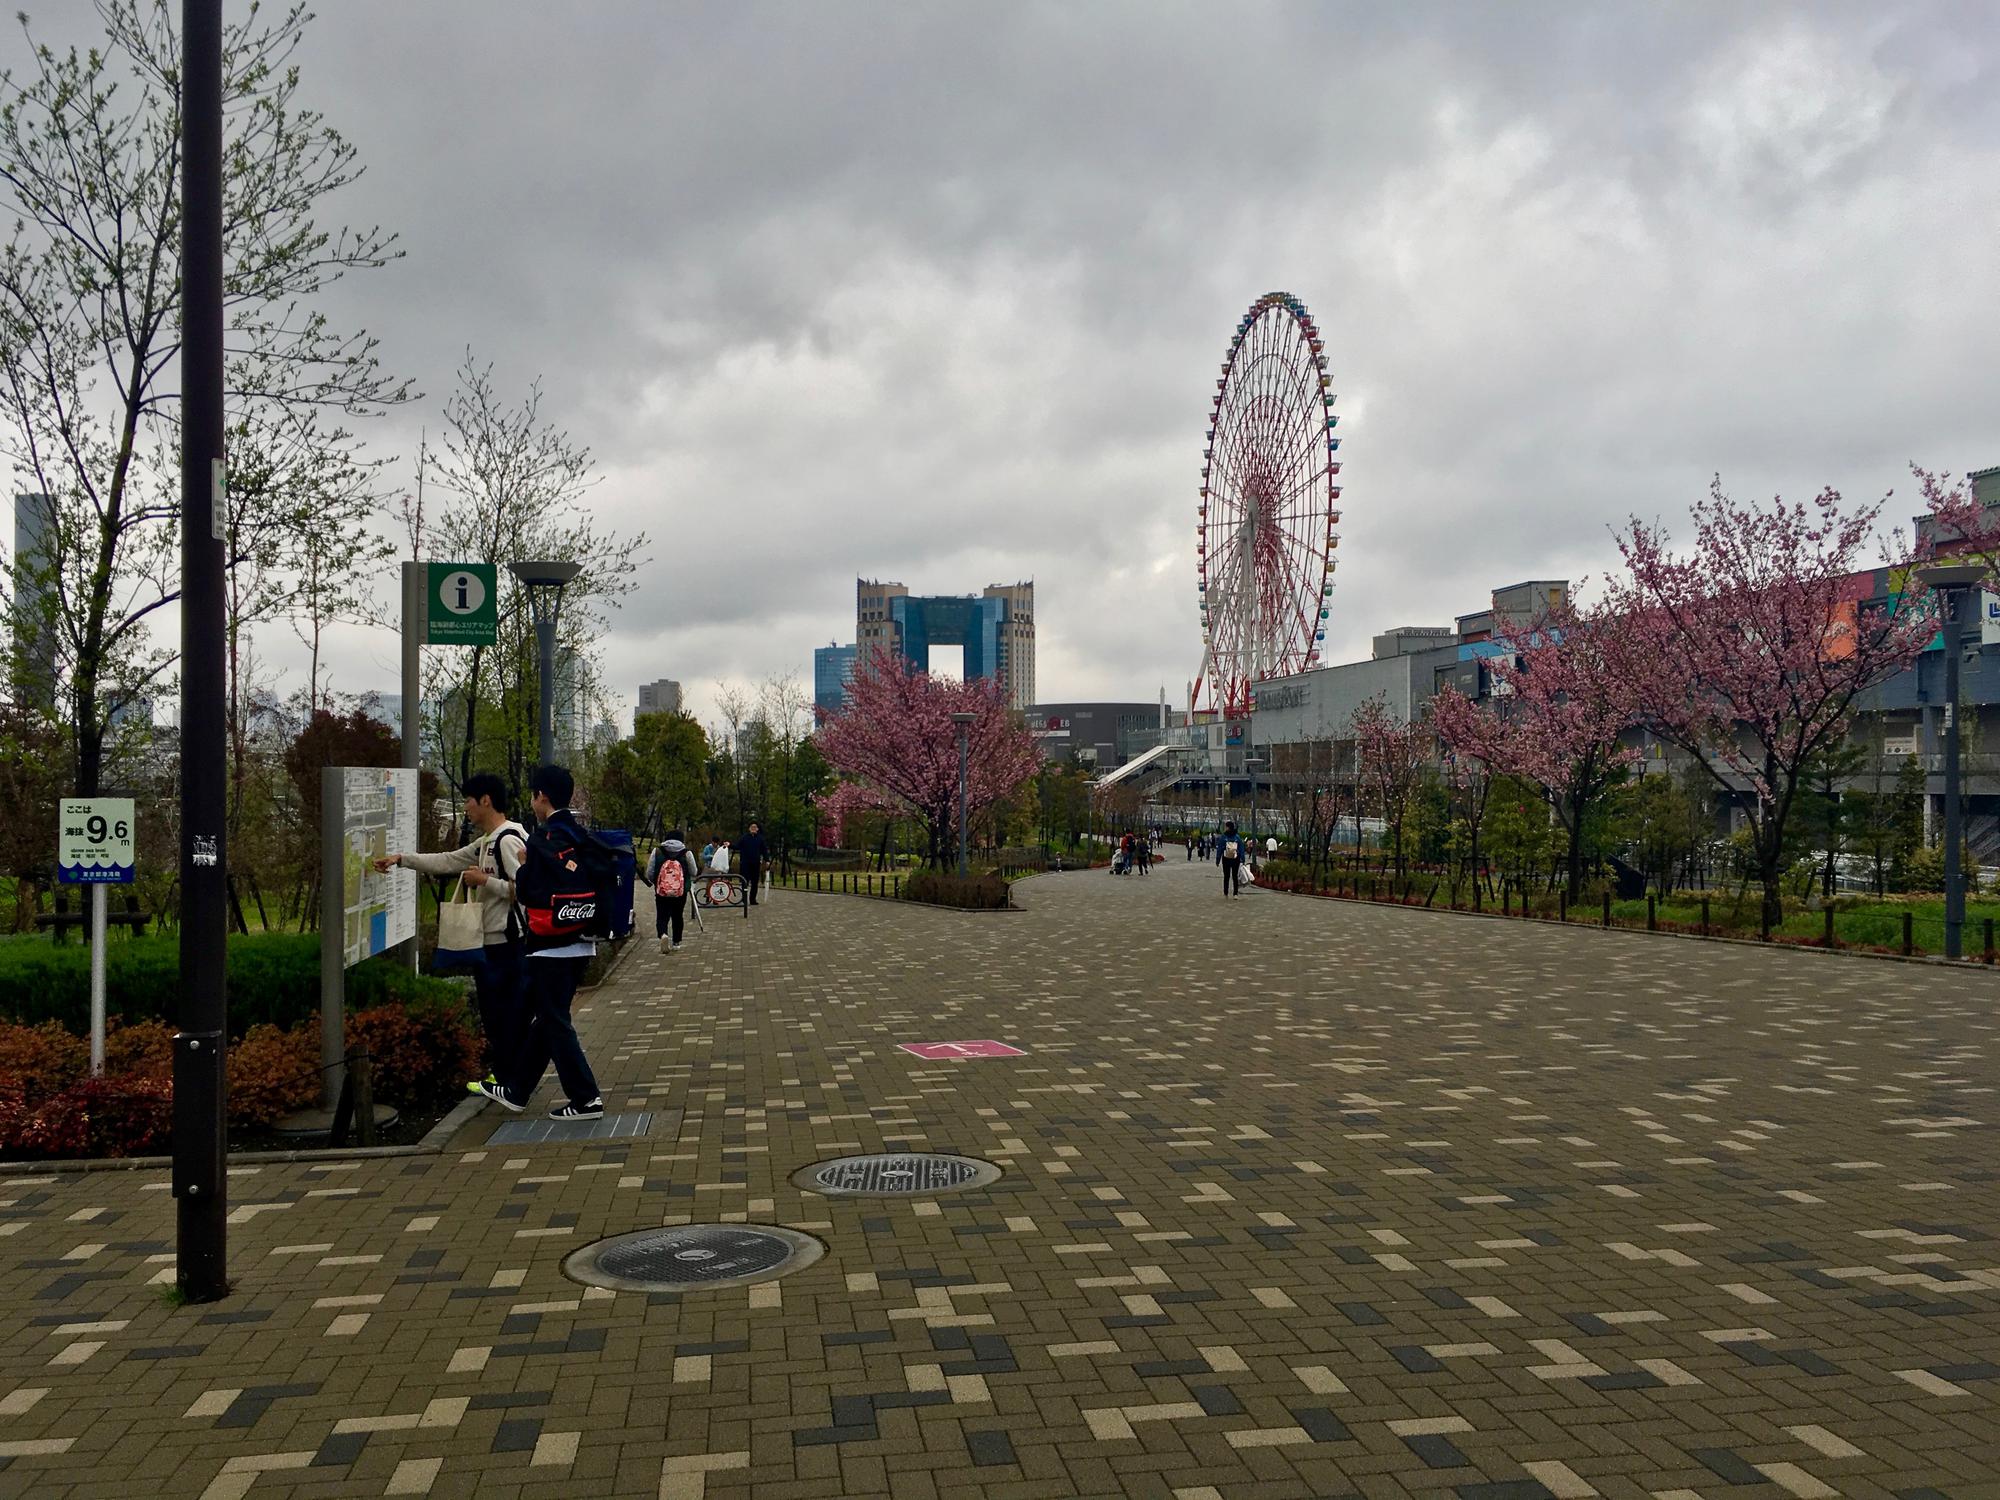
[{"x": 897, "y": 747}]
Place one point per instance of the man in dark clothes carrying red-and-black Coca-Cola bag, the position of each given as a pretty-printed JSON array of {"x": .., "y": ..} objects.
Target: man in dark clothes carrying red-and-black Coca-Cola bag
[{"x": 565, "y": 895}]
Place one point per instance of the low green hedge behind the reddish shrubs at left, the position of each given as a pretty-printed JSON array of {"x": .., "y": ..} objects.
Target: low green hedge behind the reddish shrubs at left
[{"x": 273, "y": 979}]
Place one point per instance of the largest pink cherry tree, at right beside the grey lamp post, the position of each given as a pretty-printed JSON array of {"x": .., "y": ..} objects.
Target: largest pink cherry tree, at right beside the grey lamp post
[{"x": 1751, "y": 651}]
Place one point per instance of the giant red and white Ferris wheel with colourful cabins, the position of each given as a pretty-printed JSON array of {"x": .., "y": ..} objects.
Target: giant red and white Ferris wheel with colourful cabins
[{"x": 1269, "y": 507}]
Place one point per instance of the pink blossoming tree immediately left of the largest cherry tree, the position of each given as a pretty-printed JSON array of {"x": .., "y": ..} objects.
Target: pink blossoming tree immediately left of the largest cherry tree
[{"x": 1559, "y": 707}]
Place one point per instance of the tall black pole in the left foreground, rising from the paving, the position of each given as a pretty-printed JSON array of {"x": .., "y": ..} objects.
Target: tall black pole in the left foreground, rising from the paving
[{"x": 201, "y": 1141}]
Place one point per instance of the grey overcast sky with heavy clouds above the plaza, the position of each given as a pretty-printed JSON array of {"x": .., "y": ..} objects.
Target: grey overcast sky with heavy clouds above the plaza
[{"x": 939, "y": 293}]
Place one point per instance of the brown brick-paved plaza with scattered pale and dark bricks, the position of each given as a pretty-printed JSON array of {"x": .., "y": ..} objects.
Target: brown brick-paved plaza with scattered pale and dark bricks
[{"x": 1301, "y": 1199}]
